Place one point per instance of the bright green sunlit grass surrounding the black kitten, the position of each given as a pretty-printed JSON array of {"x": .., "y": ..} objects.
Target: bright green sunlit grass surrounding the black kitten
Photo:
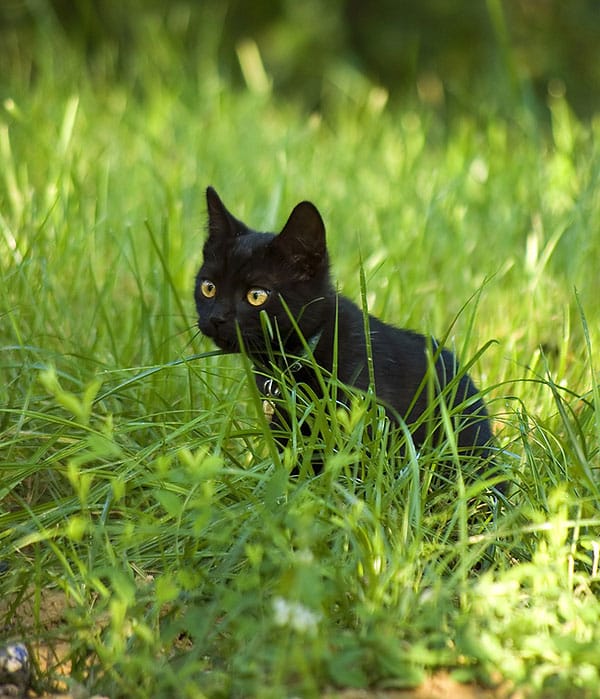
[{"x": 138, "y": 474}]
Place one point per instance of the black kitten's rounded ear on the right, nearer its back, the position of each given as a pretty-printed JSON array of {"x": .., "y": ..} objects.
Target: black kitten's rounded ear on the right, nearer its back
[{"x": 302, "y": 239}]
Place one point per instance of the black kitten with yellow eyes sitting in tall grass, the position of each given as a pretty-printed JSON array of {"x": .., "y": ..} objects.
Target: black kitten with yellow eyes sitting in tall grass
[{"x": 286, "y": 276}]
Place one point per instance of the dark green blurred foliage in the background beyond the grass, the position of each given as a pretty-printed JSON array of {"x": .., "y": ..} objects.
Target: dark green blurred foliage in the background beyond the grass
[{"x": 445, "y": 52}]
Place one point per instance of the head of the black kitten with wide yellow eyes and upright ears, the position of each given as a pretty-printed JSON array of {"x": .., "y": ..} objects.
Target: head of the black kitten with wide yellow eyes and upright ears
[{"x": 246, "y": 274}]
